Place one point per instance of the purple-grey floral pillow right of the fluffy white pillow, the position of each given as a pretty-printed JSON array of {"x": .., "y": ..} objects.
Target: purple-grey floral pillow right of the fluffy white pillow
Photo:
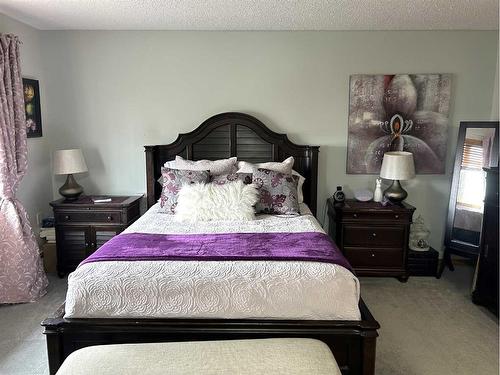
[{"x": 277, "y": 192}]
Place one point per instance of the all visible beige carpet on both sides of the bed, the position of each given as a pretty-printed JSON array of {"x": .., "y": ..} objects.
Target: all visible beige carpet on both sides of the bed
[{"x": 429, "y": 327}]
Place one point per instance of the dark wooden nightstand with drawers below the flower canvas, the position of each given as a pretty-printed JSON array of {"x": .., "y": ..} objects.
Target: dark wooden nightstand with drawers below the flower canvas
[{"x": 374, "y": 238}]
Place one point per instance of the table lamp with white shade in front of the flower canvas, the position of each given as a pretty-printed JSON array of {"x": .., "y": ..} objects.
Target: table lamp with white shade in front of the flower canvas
[{"x": 396, "y": 166}]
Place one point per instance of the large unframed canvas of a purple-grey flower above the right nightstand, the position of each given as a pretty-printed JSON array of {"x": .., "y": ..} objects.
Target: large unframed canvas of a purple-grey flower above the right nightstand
[{"x": 402, "y": 112}]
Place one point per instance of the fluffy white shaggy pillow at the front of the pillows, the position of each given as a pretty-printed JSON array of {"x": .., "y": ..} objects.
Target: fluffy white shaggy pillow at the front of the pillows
[{"x": 206, "y": 202}]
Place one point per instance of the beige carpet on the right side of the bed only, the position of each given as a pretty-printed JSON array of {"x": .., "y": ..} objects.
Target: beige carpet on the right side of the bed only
[{"x": 431, "y": 327}]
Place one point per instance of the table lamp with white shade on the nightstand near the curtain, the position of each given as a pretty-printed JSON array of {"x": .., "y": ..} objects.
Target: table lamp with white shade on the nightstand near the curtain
[{"x": 69, "y": 162}]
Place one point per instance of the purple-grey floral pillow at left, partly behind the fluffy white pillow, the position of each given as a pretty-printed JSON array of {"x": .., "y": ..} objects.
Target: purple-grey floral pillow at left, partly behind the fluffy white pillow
[{"x": 173, "y": 180}]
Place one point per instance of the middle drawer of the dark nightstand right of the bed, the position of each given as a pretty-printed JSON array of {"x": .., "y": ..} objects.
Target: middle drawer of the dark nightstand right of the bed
[{"x": 355, "y": 235}]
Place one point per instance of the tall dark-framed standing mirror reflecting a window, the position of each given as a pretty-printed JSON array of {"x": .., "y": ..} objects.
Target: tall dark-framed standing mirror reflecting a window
[{"x": 477, "y": 148}]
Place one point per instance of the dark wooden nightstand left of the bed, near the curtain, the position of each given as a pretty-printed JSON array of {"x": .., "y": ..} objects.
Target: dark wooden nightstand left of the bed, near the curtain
[{"x": 82, "y": 226}]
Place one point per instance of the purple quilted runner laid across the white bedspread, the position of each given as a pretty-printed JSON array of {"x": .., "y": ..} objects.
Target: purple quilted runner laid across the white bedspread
[{"x": 304, "y": 246}]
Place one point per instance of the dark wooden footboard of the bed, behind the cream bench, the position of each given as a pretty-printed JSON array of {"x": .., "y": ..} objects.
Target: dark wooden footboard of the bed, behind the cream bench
[{"x": 352, "y": 342}]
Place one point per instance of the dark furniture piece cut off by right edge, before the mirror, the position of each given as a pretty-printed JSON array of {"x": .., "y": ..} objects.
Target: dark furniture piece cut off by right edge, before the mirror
[{"x": 485, "y": 291}]
